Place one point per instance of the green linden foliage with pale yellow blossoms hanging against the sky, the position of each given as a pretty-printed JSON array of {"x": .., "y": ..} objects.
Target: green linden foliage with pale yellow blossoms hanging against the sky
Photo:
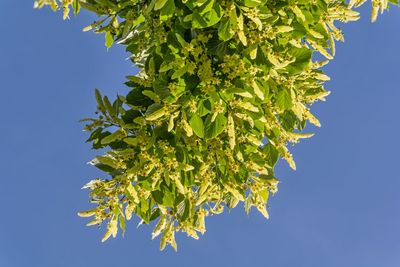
[{"x": 223, "y": 88}]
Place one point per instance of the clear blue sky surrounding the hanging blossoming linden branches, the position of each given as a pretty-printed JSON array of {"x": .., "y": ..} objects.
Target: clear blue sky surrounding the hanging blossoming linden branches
[{"x": 340, "y": 208}]
